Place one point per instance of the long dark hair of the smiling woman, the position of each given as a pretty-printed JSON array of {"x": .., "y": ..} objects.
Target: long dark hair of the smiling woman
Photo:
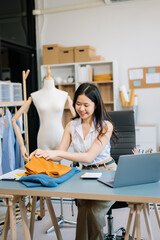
[{"x": 92, "y": 92}]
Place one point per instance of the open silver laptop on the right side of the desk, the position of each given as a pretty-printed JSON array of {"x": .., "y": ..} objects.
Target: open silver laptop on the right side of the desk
[{"x": 135, "y": 169}]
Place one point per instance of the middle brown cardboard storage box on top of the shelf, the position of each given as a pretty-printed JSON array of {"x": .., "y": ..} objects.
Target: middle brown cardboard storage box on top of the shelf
[{"x": 67, "y": 55}]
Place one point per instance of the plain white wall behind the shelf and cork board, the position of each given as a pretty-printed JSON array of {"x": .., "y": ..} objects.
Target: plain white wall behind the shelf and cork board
[{"x": 127, "y": 32}]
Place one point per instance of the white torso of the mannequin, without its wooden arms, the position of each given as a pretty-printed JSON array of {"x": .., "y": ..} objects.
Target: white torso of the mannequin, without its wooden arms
[{"x": 49, "y": 102}]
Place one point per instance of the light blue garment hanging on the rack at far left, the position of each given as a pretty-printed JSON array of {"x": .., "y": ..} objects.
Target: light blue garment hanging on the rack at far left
[{"x": 11, "y": 155}]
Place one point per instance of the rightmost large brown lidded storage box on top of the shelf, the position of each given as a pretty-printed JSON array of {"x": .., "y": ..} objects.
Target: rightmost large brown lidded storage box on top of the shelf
[{"x": 84, "y": 53}]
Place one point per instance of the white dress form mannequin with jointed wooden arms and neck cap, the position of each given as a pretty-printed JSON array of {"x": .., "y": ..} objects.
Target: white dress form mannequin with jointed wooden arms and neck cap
[{"x": 49, "y": 102}]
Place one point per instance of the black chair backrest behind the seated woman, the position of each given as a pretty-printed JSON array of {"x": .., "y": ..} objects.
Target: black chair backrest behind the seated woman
[{"x": 124, "y": 123}]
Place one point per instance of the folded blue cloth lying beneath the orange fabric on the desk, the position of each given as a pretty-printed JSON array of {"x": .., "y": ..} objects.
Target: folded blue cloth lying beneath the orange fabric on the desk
[{"x": 39, "y": 180}]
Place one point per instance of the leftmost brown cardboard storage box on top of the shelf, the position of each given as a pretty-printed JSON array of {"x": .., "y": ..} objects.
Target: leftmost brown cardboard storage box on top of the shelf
[{"x": 51, "y": 54}]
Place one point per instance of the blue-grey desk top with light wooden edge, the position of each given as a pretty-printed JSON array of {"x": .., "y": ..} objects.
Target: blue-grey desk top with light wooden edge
[{"x": 76, "y": 187}]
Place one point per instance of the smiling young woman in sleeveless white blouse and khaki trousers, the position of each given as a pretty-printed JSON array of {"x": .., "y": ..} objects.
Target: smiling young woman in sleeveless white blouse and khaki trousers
[{"x": 90, "y": 133}]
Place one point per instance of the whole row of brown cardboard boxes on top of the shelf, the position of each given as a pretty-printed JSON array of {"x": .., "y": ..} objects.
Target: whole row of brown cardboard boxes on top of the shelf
[{"x": 55, "y": 54}]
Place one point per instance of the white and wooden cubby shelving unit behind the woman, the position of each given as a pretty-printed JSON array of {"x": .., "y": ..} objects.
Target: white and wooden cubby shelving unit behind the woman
[{"x": 109, "y": 89}]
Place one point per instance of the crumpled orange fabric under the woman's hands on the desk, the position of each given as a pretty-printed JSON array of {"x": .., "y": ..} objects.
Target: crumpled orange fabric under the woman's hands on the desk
[{"x": 40, "y": 165}]
